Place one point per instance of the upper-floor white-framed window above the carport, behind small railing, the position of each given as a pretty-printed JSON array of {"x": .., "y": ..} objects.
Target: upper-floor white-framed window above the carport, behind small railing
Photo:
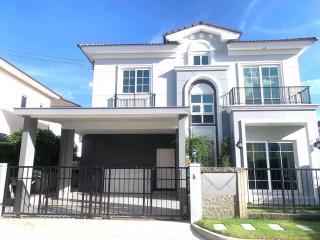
[{"x": 136, "y": 81}]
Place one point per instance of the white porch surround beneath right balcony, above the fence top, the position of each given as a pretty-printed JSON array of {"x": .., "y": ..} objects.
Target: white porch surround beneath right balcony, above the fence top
[{"x": 297, "y": 126}]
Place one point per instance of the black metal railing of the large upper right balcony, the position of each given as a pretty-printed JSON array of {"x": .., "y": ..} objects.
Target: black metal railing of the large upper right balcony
[{"x": 267, "y": 95}]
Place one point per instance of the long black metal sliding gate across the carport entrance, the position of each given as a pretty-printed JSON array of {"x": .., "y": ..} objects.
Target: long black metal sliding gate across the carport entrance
[{"x": 97, "y": 191}]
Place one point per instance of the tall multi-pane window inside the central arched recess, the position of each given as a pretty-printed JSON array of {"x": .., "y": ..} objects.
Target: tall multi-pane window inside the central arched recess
[{"x": 202, "y": 105}]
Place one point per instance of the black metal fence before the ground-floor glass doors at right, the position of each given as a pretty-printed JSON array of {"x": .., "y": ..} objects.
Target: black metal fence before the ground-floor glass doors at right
[{"x": 287, "y": 190}]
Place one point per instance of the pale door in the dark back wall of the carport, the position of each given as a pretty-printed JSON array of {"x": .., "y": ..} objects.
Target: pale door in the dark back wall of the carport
[{"x": 165, "y": 168}]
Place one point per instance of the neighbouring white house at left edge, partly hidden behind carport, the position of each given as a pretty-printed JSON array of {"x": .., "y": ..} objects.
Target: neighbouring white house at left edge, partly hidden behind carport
[{"x": 20, "y": 90}]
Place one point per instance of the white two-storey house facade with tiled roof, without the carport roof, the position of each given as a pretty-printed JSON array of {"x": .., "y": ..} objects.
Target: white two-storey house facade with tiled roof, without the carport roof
[{"x": 246, "y": 91}]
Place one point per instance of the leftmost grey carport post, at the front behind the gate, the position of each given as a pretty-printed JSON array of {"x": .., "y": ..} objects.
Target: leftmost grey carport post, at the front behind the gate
[{"x": 26, "y": 161}]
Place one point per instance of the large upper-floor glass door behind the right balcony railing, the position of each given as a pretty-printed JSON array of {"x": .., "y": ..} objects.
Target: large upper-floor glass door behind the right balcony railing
[{"x": 262, "y": 84}]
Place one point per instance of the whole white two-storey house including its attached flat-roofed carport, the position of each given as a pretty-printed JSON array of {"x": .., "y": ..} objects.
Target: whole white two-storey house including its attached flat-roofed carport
[{"x": 201, "y": 80}]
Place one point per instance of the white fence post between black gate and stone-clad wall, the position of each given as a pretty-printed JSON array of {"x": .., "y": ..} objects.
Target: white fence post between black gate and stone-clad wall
[{"x": 195, "y": 193}]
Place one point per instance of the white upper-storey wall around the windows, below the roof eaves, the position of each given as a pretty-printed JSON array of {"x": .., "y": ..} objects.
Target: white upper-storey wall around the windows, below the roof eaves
[{"x": 108, "y": 71}]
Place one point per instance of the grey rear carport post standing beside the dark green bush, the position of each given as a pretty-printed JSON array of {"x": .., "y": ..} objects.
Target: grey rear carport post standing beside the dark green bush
[{"x": 65, "y": 161}]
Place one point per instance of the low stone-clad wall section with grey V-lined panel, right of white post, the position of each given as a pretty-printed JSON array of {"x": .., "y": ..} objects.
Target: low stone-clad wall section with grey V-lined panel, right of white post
[{"x": 223, "y": 192}]
